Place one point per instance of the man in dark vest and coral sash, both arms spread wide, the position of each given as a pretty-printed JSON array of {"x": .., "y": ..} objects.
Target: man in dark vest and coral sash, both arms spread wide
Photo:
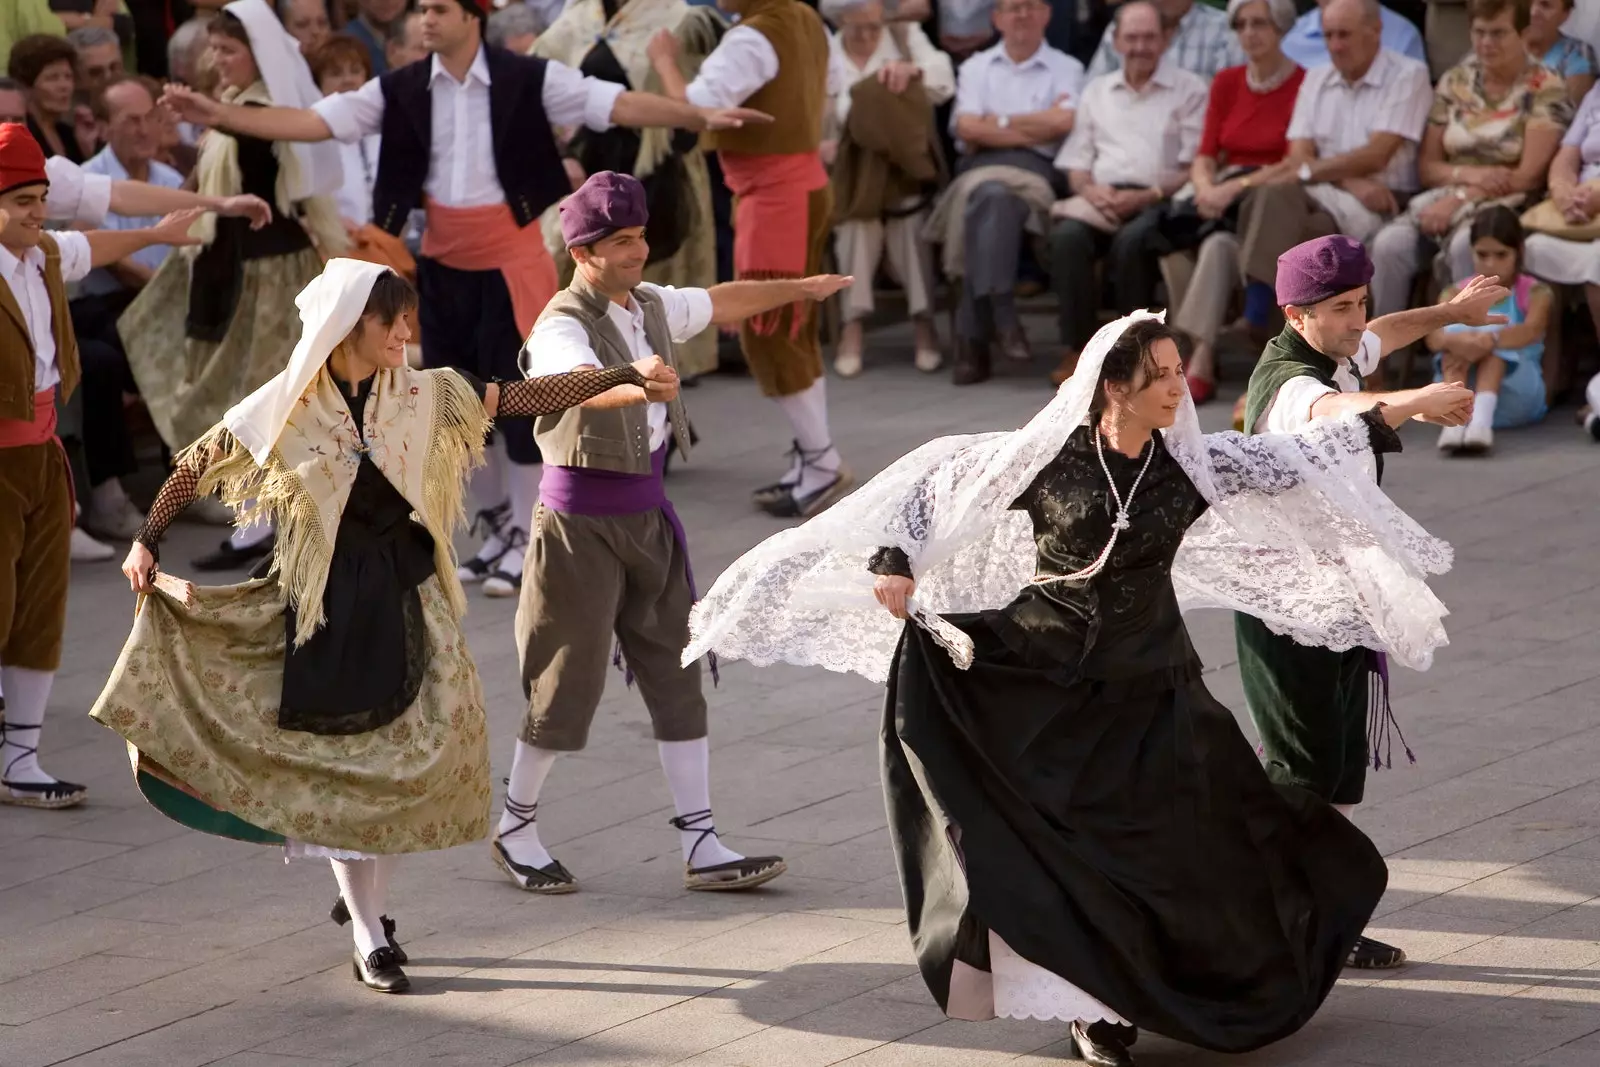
[{"x": 468, "y": 135}]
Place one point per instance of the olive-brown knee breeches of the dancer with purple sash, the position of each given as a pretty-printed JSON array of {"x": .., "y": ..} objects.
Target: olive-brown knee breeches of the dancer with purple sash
[{"x": 586, "y": 580}]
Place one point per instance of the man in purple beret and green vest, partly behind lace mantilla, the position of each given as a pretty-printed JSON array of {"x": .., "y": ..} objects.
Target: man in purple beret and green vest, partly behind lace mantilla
[{"x": 1313, "y": 708}]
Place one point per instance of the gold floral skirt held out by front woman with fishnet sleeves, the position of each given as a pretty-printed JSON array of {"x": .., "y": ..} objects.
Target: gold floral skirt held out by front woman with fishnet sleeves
[{"x": 196, "y": 695}]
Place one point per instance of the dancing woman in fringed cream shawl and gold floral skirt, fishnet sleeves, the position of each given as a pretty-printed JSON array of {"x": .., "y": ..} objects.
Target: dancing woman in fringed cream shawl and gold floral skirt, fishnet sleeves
[{"x": 330, "y": 703}]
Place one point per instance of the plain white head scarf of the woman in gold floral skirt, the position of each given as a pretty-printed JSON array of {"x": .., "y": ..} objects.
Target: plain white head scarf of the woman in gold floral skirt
[{"x": 330, "y": 308}]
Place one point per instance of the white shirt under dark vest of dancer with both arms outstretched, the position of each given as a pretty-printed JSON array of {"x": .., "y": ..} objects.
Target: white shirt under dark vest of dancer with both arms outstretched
[{"x": 462, "y": 158}]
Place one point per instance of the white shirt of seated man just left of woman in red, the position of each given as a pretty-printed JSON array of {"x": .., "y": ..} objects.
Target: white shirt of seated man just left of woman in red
[{"x": 1126, "y": 137}]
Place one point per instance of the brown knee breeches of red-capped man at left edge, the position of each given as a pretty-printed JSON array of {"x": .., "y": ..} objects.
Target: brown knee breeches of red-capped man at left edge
[{"x": 36, "y": 556}]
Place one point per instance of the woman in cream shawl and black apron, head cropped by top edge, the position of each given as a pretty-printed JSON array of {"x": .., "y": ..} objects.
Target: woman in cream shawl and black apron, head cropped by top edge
[{"x": 607, "y": 39}]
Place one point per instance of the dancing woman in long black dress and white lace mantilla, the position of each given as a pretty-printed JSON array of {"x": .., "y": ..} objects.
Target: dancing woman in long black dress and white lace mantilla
[{"x": 1082, "y": 831}]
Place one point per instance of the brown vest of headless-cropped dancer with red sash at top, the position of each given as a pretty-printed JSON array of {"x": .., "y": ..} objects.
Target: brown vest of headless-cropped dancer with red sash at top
[{"x": 798, "y": 97}]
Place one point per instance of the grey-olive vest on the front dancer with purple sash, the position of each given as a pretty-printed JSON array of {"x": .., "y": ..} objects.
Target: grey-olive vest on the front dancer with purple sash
[{"x": 617, "y": 439}]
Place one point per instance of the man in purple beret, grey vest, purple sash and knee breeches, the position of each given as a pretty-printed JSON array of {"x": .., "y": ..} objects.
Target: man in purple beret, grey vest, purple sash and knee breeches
[{"x": 607, "y": 553}]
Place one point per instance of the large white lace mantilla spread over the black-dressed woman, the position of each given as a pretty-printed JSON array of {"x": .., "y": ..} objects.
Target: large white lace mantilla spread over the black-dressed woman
[{"x": 1298, "y": 535}]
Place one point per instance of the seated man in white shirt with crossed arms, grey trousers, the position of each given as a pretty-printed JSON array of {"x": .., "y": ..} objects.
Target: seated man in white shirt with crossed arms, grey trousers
[{"x": 1014, "y": 108}]
